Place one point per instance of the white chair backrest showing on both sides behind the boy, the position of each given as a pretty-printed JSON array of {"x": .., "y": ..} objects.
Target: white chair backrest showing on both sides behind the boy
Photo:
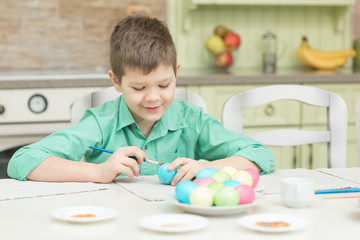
[{"x": 97, "y": 98}]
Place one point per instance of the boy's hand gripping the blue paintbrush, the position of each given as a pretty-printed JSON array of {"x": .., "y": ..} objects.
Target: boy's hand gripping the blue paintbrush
[{"x": 120, "y": 162}]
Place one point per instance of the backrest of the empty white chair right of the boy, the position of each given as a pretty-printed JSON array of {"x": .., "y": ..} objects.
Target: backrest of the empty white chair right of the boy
[{"x": 335, "y": 135}]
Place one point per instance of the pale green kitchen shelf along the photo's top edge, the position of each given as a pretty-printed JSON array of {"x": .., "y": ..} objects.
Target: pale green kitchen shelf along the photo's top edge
[{"x": 276, "y": 2}]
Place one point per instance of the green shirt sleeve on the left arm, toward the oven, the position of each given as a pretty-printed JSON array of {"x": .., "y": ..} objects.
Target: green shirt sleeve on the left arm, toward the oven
[{"x": 70, "y": 143}]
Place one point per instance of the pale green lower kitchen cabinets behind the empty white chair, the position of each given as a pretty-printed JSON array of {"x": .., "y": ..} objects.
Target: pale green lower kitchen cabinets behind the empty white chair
[{"x": 288, "y": 114}]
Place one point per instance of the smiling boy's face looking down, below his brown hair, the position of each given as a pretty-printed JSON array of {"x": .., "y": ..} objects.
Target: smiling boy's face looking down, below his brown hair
[{"x": 148, "y": 96}]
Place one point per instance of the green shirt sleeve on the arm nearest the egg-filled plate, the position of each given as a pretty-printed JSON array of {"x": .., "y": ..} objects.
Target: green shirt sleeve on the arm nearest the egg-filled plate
[{"x": 216, "y": 142}]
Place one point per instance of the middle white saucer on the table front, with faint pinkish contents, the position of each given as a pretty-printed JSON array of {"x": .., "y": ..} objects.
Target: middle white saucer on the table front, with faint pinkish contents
[{"x": 174, "y": 222}]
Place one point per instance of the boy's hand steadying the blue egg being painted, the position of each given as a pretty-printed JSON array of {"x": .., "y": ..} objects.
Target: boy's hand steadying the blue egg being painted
[{"x": 188, "y": 171}]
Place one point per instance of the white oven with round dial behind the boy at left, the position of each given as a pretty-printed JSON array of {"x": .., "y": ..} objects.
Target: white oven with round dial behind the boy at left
[{"x": 28, "y": 115}]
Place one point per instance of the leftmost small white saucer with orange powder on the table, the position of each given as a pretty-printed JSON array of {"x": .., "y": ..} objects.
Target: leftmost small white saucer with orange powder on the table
[{"x": 84, "y": 213}]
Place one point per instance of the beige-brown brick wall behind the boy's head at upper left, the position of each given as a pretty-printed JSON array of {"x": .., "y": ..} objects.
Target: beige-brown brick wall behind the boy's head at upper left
[{"x": 62, "y": 34}]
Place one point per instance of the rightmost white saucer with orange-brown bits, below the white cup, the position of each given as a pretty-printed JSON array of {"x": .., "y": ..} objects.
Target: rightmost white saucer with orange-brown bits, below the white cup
[{"x": 269, "y": 222}]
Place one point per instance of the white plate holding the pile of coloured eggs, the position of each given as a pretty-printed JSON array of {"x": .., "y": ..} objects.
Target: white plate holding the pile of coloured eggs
[{"x": 217, "y": 210}]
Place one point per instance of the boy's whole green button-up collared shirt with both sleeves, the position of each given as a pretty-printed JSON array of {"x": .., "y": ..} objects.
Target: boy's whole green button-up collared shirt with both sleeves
[{"x": 183, "y": 131}]
